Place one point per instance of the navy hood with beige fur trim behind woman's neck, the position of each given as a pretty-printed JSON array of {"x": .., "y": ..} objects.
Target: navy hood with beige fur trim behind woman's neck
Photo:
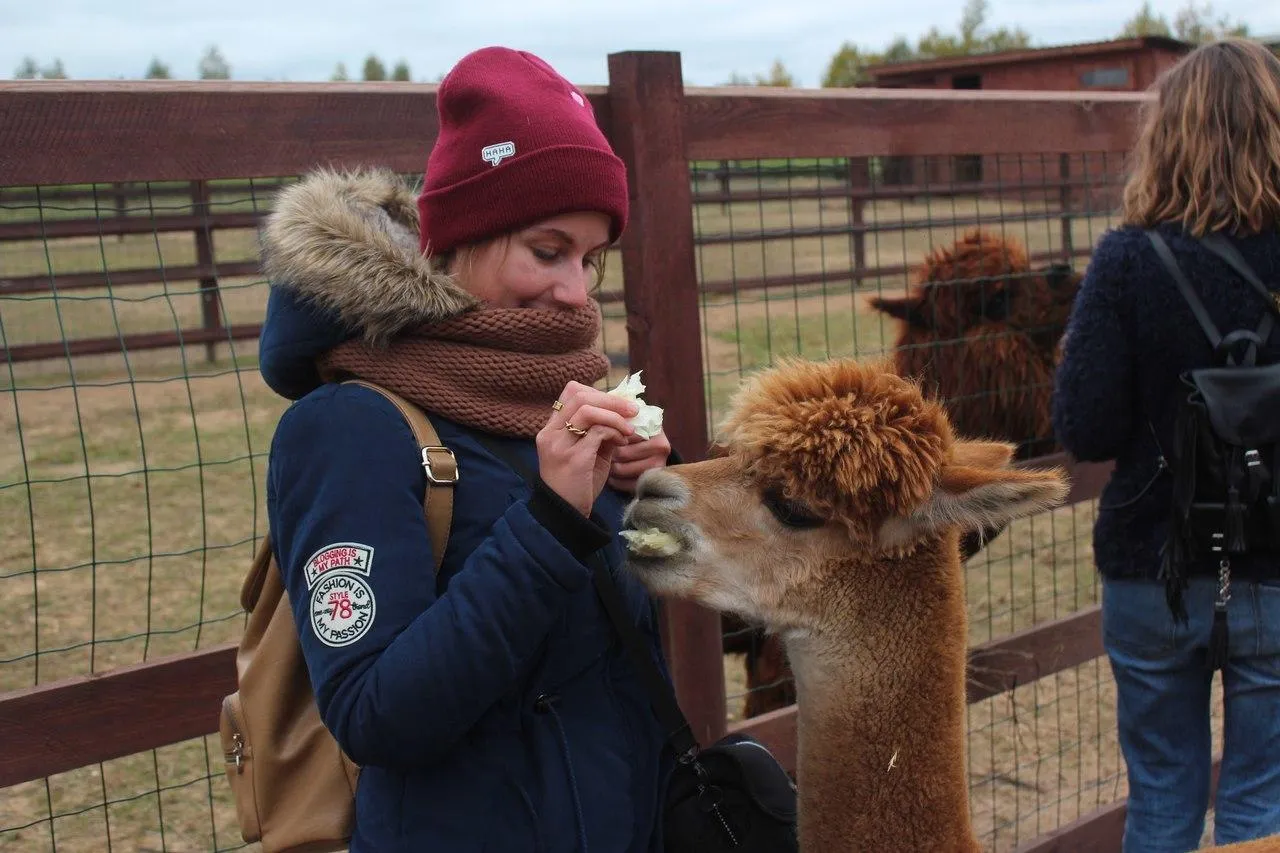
[{"x": 341, "y": 253}]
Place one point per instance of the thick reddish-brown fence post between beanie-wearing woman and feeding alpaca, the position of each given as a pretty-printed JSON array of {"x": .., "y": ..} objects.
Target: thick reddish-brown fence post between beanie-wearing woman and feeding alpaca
[{"x": 647, "y": 102}]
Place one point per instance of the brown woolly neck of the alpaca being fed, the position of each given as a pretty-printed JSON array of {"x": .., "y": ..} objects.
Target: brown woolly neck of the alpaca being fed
[{"x": 881, "y": 728}]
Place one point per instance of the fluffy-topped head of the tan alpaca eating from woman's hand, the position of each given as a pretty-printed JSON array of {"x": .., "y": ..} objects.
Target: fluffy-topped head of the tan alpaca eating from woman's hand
[{"x": 829, "y": 471}]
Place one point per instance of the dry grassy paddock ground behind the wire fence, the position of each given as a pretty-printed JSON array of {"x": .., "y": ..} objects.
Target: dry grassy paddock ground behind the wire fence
[{"x": 131, "y": 496}]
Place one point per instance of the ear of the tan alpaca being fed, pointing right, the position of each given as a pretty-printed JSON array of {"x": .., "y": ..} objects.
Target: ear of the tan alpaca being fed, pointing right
[{"x": 977, "y": 496}]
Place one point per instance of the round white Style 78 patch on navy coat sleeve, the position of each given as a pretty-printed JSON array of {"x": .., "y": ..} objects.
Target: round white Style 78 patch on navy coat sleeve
[{"x": 342, "y": 601}]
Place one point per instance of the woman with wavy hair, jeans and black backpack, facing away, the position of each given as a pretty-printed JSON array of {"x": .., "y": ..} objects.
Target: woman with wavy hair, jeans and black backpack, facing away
[{"x": 1169, "y": 368}]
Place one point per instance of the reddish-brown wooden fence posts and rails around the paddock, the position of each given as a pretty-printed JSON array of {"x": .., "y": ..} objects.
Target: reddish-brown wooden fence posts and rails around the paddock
[{"x": 57, "y": 134}]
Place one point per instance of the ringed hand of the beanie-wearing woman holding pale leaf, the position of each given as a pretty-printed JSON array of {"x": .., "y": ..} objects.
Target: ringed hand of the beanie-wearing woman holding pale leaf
[{"x": 577, "y": 448}]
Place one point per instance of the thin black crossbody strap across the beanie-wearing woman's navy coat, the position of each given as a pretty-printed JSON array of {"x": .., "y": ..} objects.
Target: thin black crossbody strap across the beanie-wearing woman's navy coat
[{"x": 662, "y": 697}]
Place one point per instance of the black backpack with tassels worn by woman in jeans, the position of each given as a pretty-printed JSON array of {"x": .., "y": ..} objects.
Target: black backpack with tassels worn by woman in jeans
[{"x": 1227, "y": 450}]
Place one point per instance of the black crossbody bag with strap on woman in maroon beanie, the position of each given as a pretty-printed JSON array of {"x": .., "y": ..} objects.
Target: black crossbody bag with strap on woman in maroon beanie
[{"x": 730, "y": 797}]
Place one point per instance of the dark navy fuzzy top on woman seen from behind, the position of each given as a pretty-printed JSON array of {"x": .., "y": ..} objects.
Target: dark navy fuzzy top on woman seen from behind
[{"x": 1116, "y": 398}]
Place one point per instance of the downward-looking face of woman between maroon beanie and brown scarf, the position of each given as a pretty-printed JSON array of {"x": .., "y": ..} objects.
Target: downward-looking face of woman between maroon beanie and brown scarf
[{"x": 550, "y": 266}]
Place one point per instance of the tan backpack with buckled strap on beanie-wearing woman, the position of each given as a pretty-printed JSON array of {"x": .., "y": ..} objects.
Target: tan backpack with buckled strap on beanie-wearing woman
[{"x": 292, "y": 784}]
